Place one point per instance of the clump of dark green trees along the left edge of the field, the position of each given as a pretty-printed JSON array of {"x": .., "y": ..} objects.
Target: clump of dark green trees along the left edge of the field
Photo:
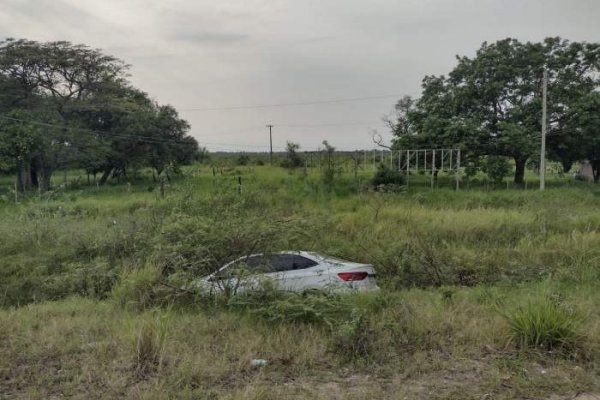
[{"x": 70, "y": 106}]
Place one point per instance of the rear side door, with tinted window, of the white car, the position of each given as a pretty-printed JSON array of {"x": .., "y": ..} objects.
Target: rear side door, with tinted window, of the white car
[{"x": 294, "y": 272}]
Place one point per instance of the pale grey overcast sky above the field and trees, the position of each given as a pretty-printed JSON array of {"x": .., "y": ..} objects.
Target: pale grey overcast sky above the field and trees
[{"x": 219, "y": 53}]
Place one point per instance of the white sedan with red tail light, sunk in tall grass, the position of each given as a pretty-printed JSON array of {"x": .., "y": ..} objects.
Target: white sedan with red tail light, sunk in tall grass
[{"x": 295, "y": 271}]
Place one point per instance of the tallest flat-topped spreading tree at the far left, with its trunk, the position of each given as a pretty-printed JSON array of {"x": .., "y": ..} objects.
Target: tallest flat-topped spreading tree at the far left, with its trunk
[{"x": 51, "y": 80}]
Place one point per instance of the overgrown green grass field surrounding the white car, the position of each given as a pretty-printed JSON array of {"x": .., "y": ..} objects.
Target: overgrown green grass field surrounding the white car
[{"x": 487, "y": 294}]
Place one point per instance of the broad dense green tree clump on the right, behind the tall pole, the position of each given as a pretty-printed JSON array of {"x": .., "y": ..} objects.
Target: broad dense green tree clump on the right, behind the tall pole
[{"x": 491, "y": 105}]
